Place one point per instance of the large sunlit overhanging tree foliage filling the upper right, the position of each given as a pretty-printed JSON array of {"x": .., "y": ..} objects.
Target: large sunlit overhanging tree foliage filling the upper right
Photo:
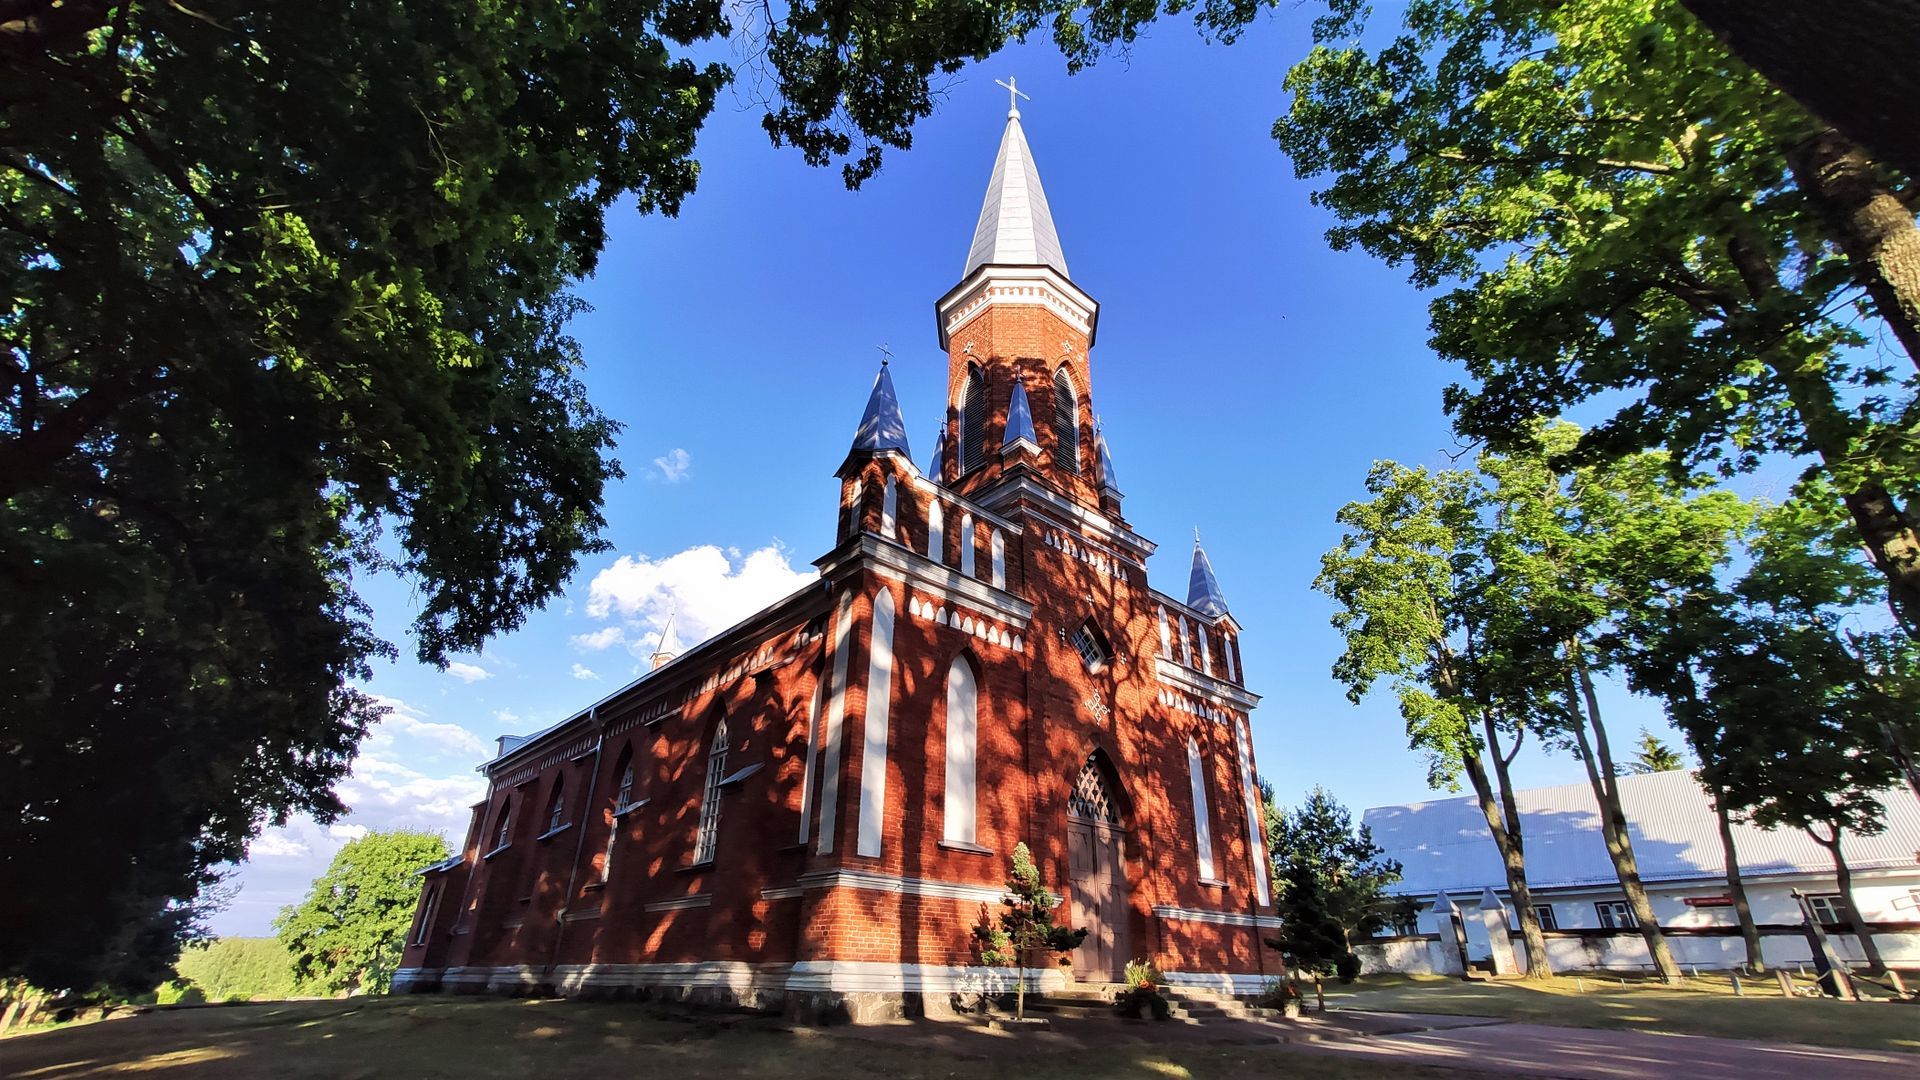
[{"x": 1631, "y": 218}]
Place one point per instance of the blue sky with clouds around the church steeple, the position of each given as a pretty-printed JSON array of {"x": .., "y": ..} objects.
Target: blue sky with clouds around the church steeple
[{"x": 1247, "y": 378}]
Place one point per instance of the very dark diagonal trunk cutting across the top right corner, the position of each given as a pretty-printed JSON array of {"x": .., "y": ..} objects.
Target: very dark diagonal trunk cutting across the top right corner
[{"x": 1850, "y": 64}]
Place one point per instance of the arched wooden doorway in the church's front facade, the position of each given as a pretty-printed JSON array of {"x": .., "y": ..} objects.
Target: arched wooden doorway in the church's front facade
[{"x": 1097, "y": 875}]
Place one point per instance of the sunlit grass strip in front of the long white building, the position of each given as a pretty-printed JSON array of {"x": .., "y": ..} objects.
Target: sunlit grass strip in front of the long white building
[{"x": 1702, "y": 1008}]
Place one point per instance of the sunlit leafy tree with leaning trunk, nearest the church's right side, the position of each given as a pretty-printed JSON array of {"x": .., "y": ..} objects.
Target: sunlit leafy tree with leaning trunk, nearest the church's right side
[{"x": 1418, "y": 608}]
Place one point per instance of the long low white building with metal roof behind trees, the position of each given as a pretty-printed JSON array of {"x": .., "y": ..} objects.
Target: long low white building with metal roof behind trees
[{"x": 1449, "y": 856}]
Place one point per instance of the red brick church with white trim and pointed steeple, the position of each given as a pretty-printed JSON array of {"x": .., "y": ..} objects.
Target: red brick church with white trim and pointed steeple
[{"x": 817, "y": 806}]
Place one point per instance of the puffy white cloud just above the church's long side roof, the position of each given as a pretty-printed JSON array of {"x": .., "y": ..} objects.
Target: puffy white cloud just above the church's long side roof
[{"x": 704, "y": 589}]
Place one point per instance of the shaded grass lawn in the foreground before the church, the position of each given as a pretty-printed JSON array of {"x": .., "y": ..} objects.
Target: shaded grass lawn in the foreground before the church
[{"x": 479, "y": 1039}]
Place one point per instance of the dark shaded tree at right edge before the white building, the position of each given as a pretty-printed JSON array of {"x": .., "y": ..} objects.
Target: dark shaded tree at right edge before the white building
[{"x": 1792, "y": 702}]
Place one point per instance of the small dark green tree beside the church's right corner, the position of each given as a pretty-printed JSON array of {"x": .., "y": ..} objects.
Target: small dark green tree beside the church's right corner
[{"x": 1330, "y": 875}]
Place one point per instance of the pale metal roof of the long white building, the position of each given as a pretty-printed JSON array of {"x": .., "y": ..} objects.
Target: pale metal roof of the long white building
[{"x": 1445, "y": 845}]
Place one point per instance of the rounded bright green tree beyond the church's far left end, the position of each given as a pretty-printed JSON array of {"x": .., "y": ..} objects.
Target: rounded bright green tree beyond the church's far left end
[{"x": 352, "y": 929}]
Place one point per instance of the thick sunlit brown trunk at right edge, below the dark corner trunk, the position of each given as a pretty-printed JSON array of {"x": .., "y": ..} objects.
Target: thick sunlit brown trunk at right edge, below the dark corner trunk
[{"x": 1871, "y": 226}]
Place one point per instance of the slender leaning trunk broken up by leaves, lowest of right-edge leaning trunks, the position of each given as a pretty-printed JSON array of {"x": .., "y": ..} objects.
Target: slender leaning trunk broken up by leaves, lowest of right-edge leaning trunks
[{"x": 1884, "y": 526}]
